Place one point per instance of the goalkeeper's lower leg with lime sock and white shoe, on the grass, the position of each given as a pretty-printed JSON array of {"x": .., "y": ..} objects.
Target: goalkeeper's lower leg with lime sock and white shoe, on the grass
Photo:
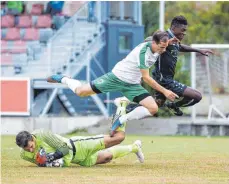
[{"x": 114, "y": 152}]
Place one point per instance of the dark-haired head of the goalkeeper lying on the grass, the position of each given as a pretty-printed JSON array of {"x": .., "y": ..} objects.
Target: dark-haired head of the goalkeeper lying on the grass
[{"x": 26, "y": 141}]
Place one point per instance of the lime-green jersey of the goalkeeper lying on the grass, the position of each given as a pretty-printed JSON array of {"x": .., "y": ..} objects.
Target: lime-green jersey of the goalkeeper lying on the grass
[{"x": 50, "y": 142}]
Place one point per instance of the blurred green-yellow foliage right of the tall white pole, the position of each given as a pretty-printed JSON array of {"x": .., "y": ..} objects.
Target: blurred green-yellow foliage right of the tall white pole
[{"x": 207, "y": 21}]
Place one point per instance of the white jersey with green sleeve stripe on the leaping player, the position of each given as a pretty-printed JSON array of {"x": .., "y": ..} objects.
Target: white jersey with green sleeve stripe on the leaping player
[{"x": 141, "y": 57}]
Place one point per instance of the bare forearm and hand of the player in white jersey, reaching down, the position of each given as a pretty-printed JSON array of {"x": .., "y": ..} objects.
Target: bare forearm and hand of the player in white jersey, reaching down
[{"x": 150, "y": 81}]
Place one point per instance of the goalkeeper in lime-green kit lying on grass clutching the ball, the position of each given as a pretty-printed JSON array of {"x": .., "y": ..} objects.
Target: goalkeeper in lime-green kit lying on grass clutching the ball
[{"x": 51, "y": 150}]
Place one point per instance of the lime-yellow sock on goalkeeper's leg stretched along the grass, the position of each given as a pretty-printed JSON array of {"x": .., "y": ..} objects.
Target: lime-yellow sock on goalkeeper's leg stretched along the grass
[{"x": 120, "y": 151}]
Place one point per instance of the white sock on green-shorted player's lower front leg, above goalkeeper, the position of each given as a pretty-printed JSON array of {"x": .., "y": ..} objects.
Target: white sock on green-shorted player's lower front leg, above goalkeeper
[{"x": 137, "y": 113}]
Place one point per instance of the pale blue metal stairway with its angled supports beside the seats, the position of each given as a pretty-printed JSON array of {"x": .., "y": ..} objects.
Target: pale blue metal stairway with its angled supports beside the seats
[{"x": 70, "y": 51}]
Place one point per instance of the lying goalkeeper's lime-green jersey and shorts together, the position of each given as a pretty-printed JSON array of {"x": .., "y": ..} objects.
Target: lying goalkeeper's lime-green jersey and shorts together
[{"x": 86, "y": 147}]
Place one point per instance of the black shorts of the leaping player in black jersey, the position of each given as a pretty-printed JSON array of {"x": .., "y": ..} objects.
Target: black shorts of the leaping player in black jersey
[{"x": 171, "y": 85}]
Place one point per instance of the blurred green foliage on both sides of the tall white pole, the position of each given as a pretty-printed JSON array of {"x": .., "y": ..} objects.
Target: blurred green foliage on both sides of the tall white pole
[{"x": 208, "y": 21}]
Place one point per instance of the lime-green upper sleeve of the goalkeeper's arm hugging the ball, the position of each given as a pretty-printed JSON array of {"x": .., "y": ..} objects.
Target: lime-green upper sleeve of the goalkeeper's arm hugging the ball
[{"x": 54, "y": 141}]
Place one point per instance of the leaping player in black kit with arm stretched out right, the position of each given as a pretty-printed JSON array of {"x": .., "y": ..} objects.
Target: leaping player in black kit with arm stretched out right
[{"x": 165, "y": 69}]
